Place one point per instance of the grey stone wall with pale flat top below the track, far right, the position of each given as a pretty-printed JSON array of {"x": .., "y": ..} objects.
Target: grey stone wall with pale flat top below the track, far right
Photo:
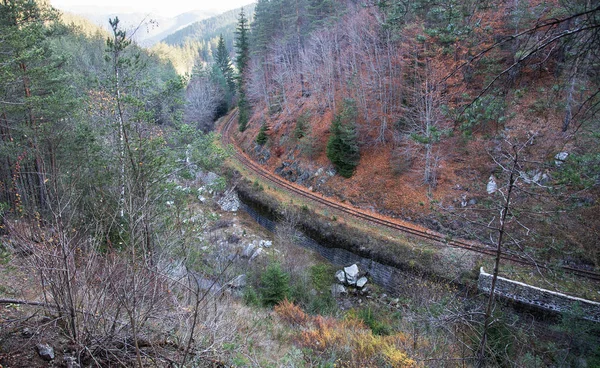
[{"x": 540, "y": 298}]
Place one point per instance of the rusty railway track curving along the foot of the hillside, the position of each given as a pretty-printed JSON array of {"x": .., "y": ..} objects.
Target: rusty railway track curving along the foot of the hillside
[{"x": 393, "y": 224}]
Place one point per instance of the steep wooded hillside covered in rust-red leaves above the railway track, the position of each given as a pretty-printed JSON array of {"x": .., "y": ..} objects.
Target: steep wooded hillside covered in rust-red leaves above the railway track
[{"x": 443, "y": 100}]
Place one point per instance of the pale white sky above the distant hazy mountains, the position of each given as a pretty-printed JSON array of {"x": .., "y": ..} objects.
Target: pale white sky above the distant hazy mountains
[{"x": 167, "y": 8}]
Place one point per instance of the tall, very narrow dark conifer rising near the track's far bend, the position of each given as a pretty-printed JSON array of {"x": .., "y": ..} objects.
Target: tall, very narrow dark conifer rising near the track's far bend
[{"x": 243, "y": 56}]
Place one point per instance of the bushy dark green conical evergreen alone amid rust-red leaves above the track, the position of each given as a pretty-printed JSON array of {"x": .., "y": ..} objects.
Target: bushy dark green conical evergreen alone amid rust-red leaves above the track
[{"x": 342, "y": 147}]
